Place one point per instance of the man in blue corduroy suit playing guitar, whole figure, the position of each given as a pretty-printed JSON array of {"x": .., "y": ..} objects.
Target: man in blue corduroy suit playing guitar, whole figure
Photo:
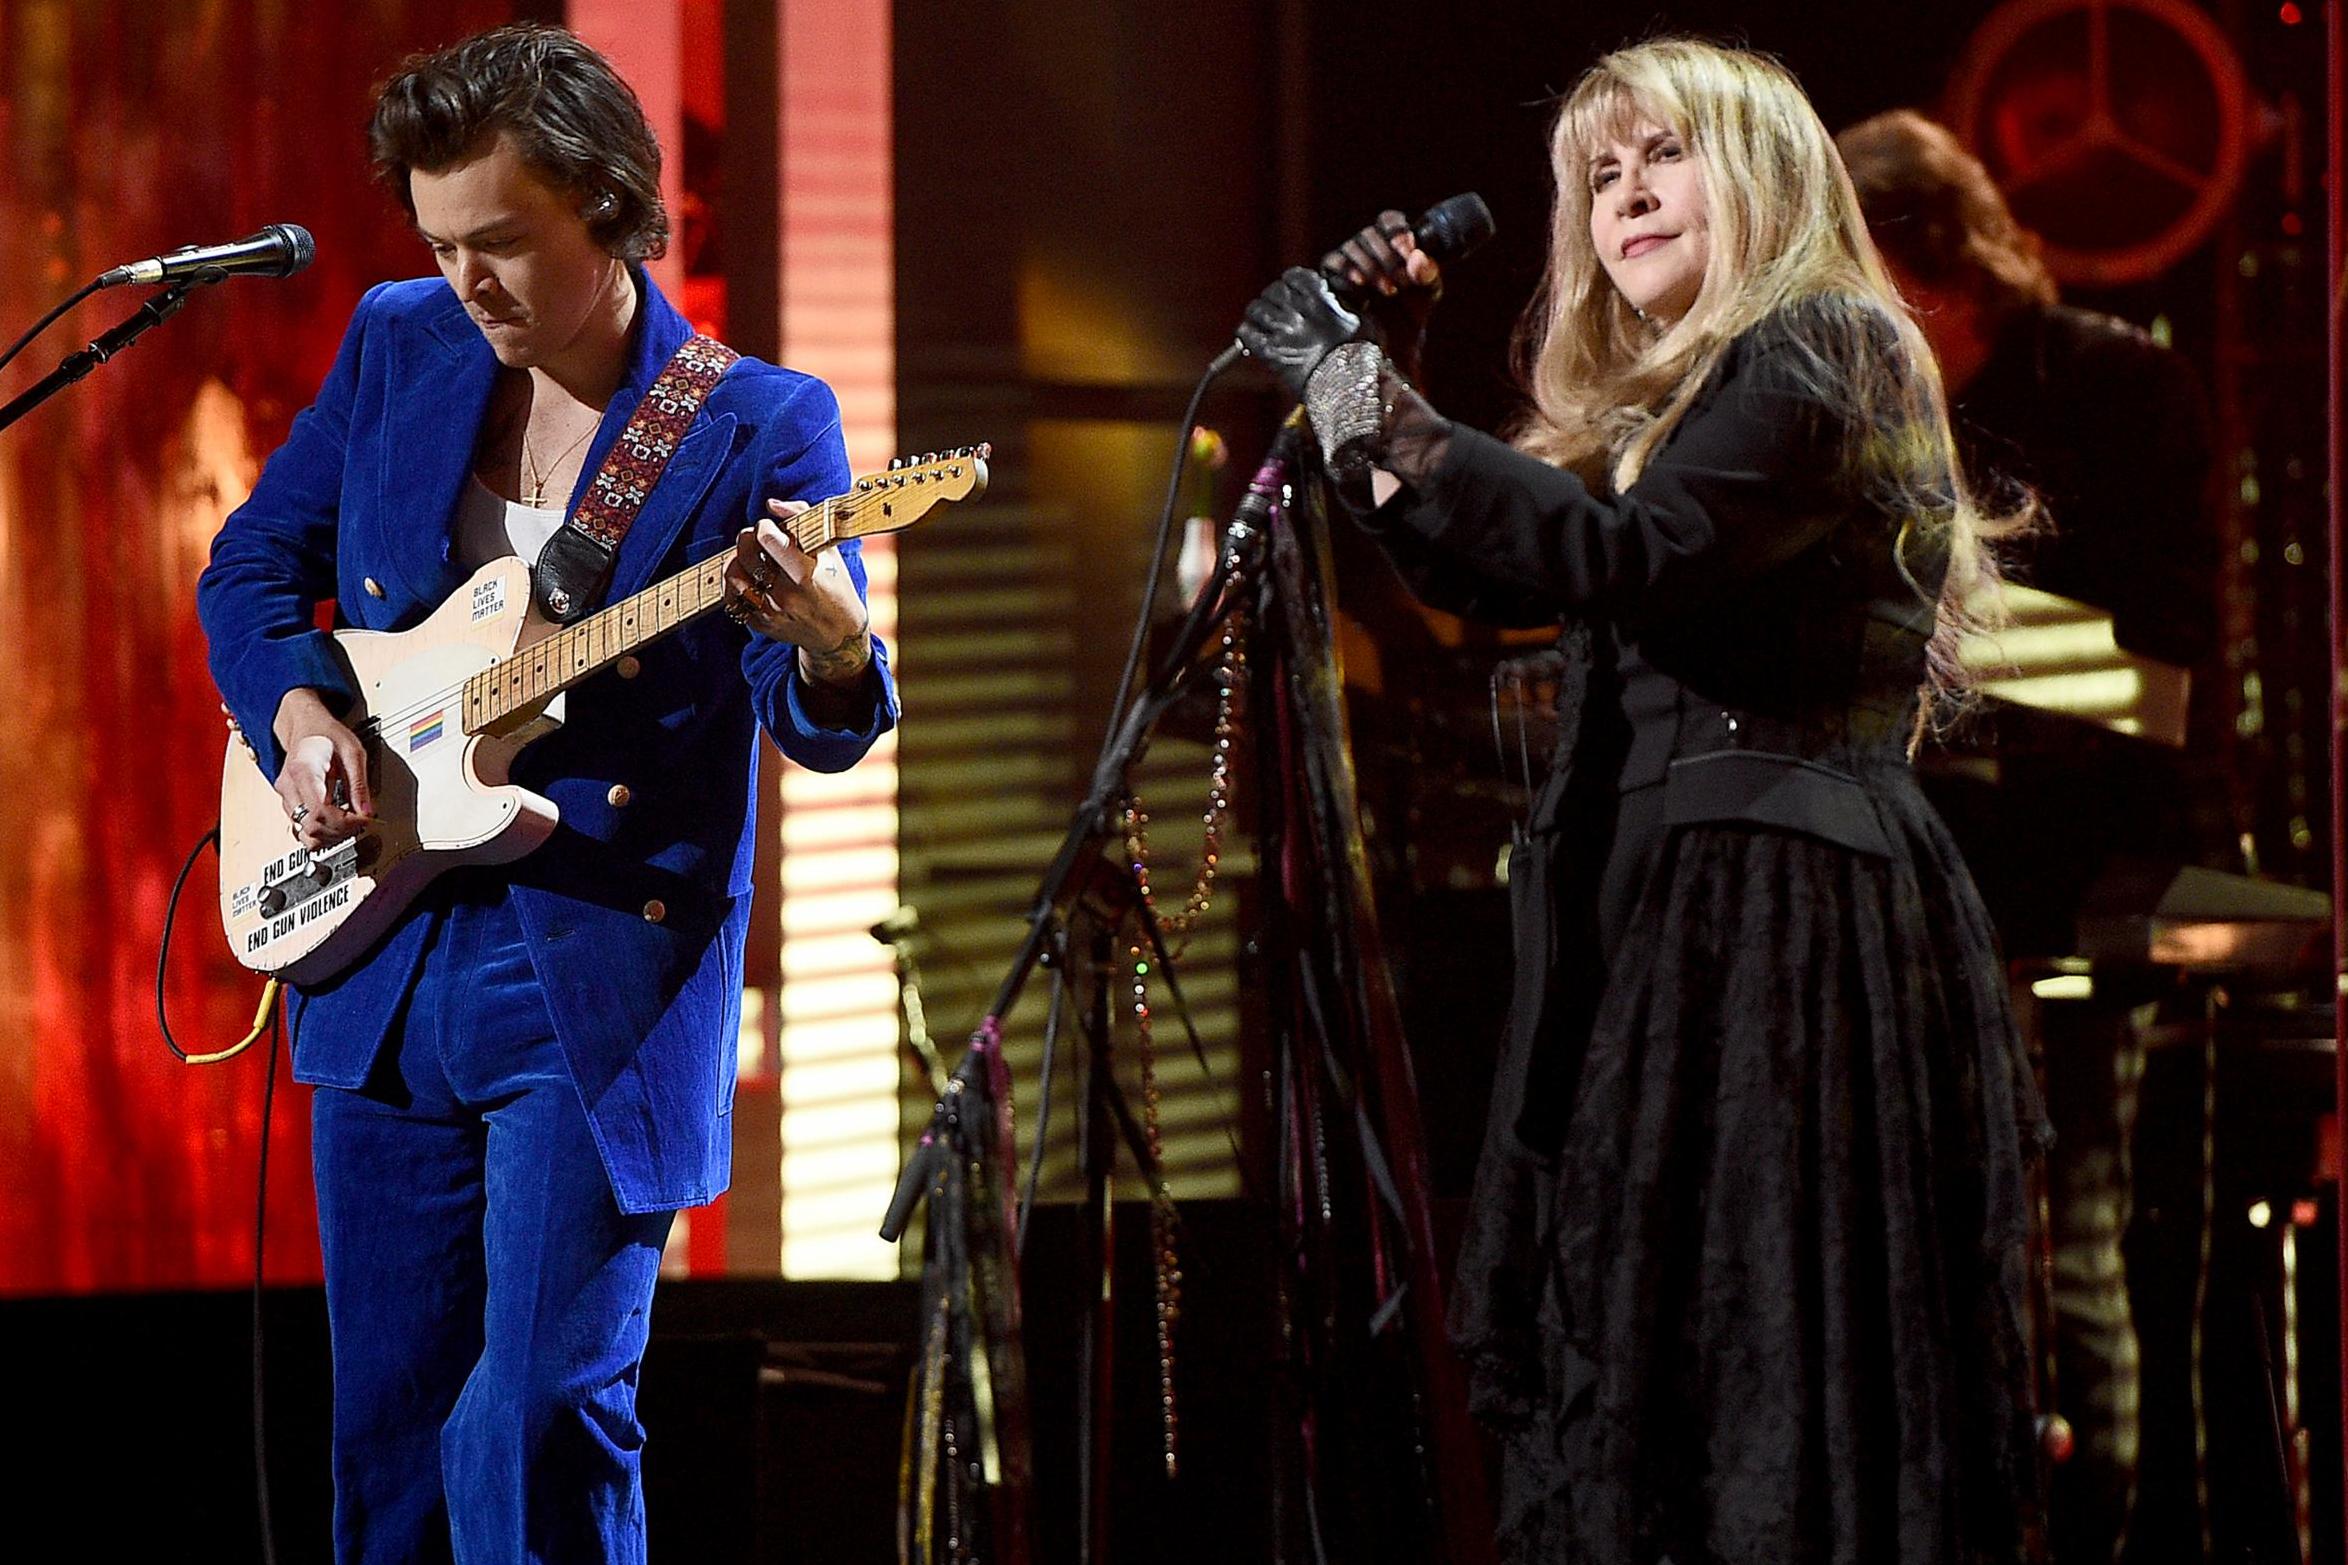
[{"x": 532, "y": 1071}]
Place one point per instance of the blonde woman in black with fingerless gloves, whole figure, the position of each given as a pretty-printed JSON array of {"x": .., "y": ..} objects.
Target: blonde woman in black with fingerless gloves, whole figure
[{"x": 1743, "y": 1273}]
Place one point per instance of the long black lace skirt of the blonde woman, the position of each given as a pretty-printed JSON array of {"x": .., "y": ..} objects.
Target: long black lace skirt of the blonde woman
[{"x": 1760, "y": 1299}]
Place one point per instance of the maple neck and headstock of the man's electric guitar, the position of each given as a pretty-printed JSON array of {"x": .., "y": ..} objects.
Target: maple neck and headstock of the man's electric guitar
[{"x": 579, "y": 651}]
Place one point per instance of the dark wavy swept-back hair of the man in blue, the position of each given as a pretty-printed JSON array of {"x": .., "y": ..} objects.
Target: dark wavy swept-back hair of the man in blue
[{"x": 572, "y": 118}]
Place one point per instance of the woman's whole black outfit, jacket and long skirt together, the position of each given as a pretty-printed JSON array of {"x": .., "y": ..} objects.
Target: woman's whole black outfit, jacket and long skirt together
[{"x": 1743, "y": 1273}]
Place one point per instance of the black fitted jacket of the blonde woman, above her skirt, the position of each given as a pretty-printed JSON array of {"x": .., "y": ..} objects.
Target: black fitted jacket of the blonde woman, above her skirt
[{"x": 1757, "y": 625}]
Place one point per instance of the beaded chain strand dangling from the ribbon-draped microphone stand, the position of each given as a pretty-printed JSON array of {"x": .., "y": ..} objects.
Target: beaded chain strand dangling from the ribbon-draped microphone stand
[{"x": 1178, "y": 928}]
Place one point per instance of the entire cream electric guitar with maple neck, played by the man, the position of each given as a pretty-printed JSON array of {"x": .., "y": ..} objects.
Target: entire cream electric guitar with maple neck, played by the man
[{"x": 443, "y": 712}]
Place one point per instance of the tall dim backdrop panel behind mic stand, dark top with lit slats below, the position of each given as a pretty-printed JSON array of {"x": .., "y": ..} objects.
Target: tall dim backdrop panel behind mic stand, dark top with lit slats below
[{"x": 1081, "y": 219}]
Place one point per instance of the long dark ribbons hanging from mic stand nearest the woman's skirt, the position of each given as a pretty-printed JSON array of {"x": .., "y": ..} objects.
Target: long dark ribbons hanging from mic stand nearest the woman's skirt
[{"x": 1382, "y": 1456}]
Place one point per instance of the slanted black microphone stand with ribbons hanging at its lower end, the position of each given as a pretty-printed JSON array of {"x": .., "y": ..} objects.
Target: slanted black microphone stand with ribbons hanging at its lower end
[{"x": 969, "y": 1134}]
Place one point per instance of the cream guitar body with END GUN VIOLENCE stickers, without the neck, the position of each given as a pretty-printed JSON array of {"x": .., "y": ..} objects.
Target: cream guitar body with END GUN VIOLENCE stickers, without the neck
[{"x": 443, "y": 797}]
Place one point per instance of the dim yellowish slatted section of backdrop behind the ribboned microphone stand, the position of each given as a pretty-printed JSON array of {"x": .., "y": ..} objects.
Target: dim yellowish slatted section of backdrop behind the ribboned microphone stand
[{"x": 999, "y": 611}]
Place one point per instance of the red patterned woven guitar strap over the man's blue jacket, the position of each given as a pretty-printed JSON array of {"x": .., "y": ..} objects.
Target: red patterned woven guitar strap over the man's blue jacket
[{"x": 576, "y": 564}]
